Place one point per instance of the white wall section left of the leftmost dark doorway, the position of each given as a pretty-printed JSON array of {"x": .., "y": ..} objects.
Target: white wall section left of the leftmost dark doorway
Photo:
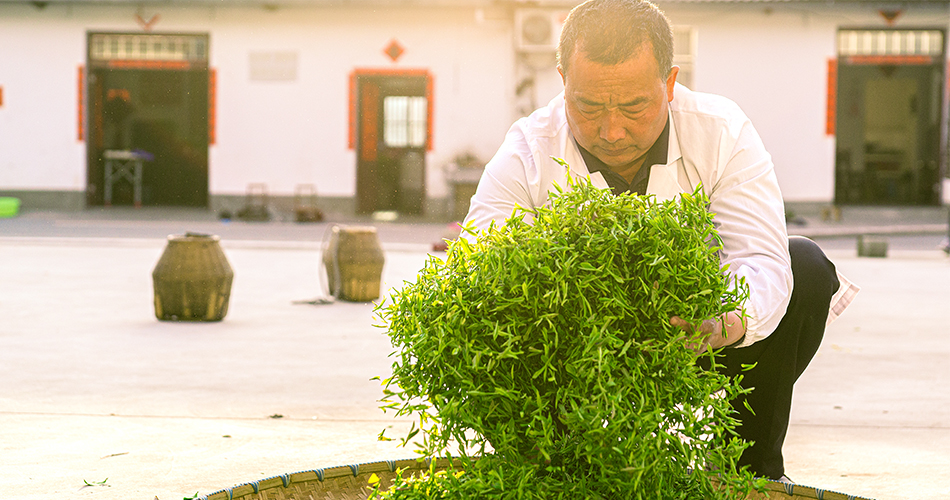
[{"x": 39, "y": 67}]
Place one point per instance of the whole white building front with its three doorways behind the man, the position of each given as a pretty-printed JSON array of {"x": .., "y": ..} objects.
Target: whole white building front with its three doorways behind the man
[{"x": 373, "y": 104}]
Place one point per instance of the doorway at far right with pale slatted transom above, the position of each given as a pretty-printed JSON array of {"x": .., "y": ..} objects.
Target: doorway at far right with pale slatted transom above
[{"x": 889, "y": 120}]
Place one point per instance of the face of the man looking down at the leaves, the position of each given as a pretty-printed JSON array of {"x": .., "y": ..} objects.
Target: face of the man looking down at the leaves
[{"x": 616, "y": 112}]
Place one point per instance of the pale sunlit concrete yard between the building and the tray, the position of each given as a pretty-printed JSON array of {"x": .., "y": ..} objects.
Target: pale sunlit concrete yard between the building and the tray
[{"x": 95, "y": 390}]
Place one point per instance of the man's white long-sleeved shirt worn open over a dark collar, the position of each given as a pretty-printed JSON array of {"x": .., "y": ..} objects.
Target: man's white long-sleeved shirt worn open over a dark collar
[{"x": 720, "y": 150}]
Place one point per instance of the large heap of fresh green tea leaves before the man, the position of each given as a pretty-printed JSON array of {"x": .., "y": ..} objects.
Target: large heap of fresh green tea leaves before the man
[{"x": 542, "y": 355}]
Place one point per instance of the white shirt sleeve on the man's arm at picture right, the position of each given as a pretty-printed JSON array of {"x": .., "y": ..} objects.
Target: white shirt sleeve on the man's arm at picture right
[{"x": 749, "y": 213}]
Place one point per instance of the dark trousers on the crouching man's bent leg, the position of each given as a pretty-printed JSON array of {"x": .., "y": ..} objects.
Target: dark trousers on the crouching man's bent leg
[{"x": 781, "y": 358}]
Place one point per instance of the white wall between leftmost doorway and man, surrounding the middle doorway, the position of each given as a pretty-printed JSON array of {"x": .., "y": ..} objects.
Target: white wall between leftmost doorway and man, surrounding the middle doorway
[{"x": 297, "y": 132}]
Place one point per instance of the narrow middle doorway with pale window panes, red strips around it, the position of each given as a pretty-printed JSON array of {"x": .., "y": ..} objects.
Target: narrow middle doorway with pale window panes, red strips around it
[{"x": 393, "y": 133}]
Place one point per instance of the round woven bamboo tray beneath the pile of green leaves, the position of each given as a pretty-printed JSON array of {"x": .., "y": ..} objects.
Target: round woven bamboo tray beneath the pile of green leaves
[{"x": 351, "y": 482}]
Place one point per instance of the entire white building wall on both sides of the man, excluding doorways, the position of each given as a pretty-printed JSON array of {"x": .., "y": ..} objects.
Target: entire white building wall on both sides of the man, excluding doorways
[{"x": 770, "y": 58}]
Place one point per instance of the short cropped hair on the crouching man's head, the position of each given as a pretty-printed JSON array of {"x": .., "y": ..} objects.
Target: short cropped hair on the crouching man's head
[{"x": 612, "y": 31}]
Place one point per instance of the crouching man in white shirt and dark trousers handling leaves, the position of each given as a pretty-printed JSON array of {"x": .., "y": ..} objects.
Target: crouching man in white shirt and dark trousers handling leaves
[{"x": 625, "y": 122}]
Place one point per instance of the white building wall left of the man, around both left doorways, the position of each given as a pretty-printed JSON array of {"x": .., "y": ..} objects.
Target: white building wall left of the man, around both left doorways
[{"x": 281, "y": 133}]
